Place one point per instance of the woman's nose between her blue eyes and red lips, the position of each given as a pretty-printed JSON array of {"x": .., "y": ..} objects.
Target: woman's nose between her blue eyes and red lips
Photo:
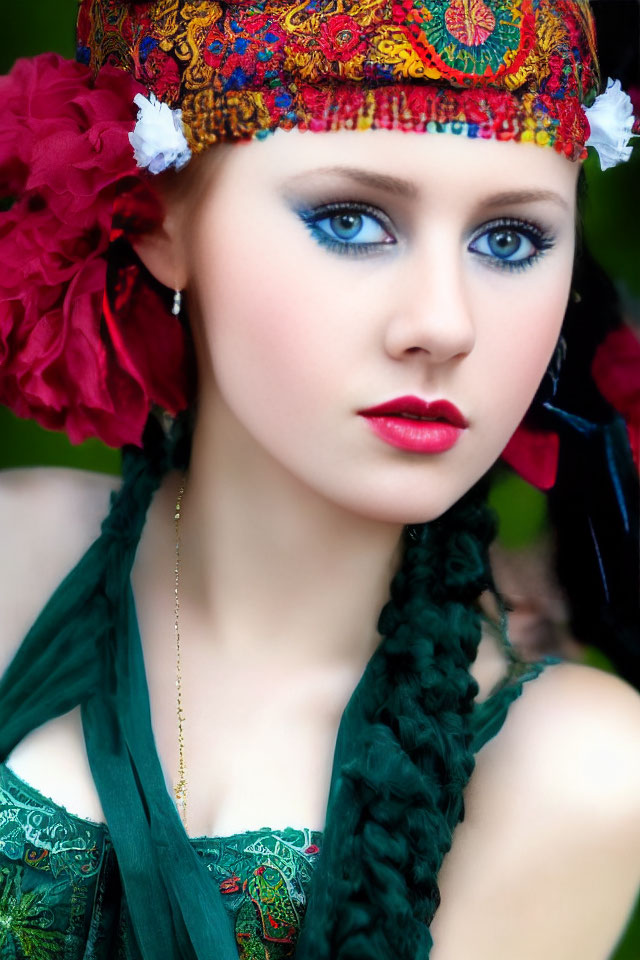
[{"x": 432, "y": 313}]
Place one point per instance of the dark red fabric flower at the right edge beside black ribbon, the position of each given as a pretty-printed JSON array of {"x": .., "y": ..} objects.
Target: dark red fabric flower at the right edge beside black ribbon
[{"x": 616, "y": 371}]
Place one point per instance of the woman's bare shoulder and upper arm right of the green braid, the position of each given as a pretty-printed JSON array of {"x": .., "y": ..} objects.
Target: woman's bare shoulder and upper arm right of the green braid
[{"x": 546, "y": 861}]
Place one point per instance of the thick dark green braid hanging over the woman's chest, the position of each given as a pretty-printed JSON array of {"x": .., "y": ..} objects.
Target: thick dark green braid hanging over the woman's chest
[{"x": 405, "y": 746}]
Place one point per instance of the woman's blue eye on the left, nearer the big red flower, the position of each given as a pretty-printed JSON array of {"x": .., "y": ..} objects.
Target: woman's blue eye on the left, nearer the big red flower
[{"x": 347, "y": 228}]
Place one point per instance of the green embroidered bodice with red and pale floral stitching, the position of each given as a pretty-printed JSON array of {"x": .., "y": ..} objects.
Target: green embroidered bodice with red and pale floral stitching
[{"x": 60, "y": 893}]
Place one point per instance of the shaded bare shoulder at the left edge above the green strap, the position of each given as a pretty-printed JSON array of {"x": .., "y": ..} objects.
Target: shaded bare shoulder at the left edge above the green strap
[{"x": 49, "y": 516}]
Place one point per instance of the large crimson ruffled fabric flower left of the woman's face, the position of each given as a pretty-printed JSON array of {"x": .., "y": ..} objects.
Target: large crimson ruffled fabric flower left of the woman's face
[{"x": 65, "y": 155}]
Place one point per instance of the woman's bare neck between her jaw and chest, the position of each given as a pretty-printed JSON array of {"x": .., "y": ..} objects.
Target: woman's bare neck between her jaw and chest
[{"x": 271, "y": 568}]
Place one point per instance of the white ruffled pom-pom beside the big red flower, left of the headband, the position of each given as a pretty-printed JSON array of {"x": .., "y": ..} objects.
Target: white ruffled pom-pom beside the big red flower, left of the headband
[{"x": 158, "y": 140}]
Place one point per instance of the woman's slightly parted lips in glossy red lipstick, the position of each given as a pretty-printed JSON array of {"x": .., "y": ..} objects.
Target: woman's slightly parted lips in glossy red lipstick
[{"x": 415, "y": 425}]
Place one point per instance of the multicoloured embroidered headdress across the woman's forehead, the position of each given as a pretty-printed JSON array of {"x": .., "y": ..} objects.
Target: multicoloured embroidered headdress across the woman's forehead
[{"x": 512, "y": 69}]
